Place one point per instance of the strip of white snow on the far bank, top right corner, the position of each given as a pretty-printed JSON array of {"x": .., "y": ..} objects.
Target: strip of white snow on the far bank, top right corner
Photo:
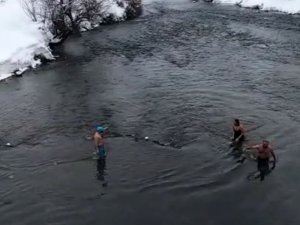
[{"x": 287, "y": 6}]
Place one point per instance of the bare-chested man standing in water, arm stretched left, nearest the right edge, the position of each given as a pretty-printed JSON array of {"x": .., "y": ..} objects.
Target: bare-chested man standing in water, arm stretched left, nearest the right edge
[{"x": 263, "y": 153}]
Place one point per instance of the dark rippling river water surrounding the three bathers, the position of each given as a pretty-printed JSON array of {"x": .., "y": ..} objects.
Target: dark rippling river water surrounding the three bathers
[{"x": 178, "y": 74}]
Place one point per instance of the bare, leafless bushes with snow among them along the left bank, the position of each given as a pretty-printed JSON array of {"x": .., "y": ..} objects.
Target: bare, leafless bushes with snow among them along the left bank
[{"x": 65, "y": 17}]
